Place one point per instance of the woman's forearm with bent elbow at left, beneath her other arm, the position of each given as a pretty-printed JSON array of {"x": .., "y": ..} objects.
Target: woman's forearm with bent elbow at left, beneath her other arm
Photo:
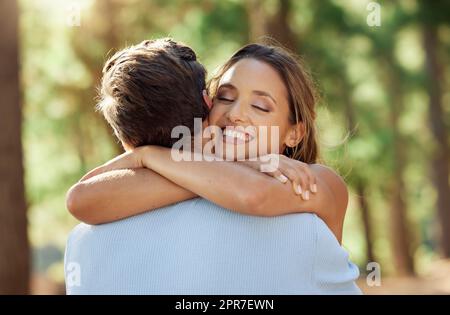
[{"x": 118, "y": 194}]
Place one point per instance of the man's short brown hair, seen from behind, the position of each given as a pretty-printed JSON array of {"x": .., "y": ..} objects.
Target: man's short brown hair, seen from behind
[{"x": 150, "y": 88}]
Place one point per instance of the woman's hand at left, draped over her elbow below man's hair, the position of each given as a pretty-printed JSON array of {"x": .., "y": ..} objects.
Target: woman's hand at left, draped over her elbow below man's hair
[{"x": 128, "y": 160}]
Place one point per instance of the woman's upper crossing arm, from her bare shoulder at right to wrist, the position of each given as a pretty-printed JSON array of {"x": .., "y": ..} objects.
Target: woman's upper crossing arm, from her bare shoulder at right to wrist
[{"x": 240, "y": 188}]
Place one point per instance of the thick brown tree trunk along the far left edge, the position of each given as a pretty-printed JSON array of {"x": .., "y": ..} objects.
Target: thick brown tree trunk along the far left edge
[{"x": 14, "y": 247}]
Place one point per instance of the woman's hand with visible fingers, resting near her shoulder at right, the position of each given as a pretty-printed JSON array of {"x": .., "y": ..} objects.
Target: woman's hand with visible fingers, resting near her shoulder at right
[{"x": 285, "y": 169}]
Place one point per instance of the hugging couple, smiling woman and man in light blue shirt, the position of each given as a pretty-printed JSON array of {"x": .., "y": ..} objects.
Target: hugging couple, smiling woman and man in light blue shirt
[{"x": 158, "y": 225}]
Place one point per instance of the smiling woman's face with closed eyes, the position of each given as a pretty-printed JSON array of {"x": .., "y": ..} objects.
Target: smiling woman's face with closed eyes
[{"x": 250, "y": 95}]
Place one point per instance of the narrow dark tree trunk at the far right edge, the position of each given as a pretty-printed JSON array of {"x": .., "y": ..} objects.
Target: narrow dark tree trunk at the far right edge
[{"x": 441, "y": 155}]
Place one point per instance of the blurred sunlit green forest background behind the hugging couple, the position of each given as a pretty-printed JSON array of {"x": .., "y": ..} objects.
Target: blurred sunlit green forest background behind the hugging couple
[{"x": 383, "y": 119}]
